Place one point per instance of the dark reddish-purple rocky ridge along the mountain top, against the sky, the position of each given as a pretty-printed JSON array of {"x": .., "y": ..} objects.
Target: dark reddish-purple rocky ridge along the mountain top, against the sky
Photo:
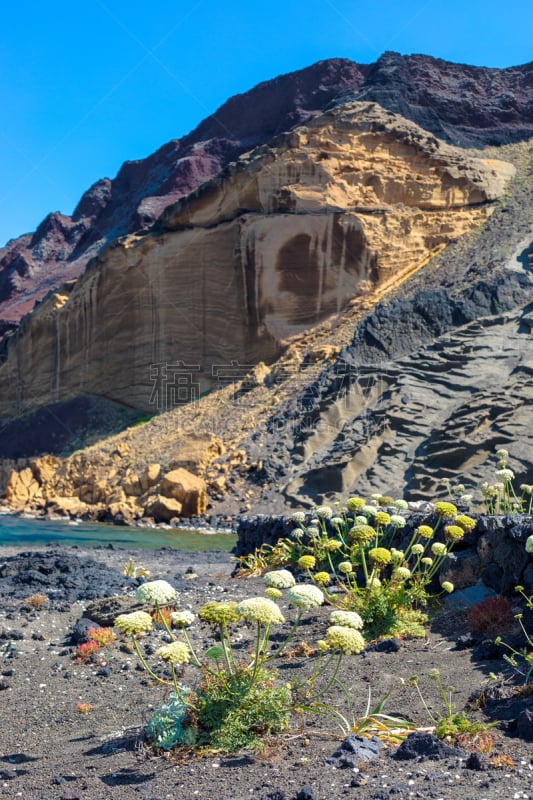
[{"x": 458, "y": 103}]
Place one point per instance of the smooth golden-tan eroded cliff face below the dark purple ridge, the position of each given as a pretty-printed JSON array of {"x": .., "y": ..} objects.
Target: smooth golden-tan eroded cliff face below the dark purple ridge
[{"x": 350, "y": 203}]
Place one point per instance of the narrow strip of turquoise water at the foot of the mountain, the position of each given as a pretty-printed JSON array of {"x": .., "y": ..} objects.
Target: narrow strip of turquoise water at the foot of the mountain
[{"x": 19, "y": 532}]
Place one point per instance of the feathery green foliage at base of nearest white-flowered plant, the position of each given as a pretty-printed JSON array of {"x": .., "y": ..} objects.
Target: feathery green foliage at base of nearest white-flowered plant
[{"x": 233, "y": 711}]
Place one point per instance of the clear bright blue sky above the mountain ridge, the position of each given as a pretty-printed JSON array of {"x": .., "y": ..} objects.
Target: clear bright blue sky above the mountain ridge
[{"x": 86, "y": 86}]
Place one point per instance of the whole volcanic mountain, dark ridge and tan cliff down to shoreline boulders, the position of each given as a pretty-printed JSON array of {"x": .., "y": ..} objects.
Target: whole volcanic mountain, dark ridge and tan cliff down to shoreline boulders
[{"x": 380, "y": 270}]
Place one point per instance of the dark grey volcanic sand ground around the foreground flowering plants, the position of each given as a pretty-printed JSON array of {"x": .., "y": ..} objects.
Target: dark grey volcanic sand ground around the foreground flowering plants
[{"x": 49, "y": 750}]
